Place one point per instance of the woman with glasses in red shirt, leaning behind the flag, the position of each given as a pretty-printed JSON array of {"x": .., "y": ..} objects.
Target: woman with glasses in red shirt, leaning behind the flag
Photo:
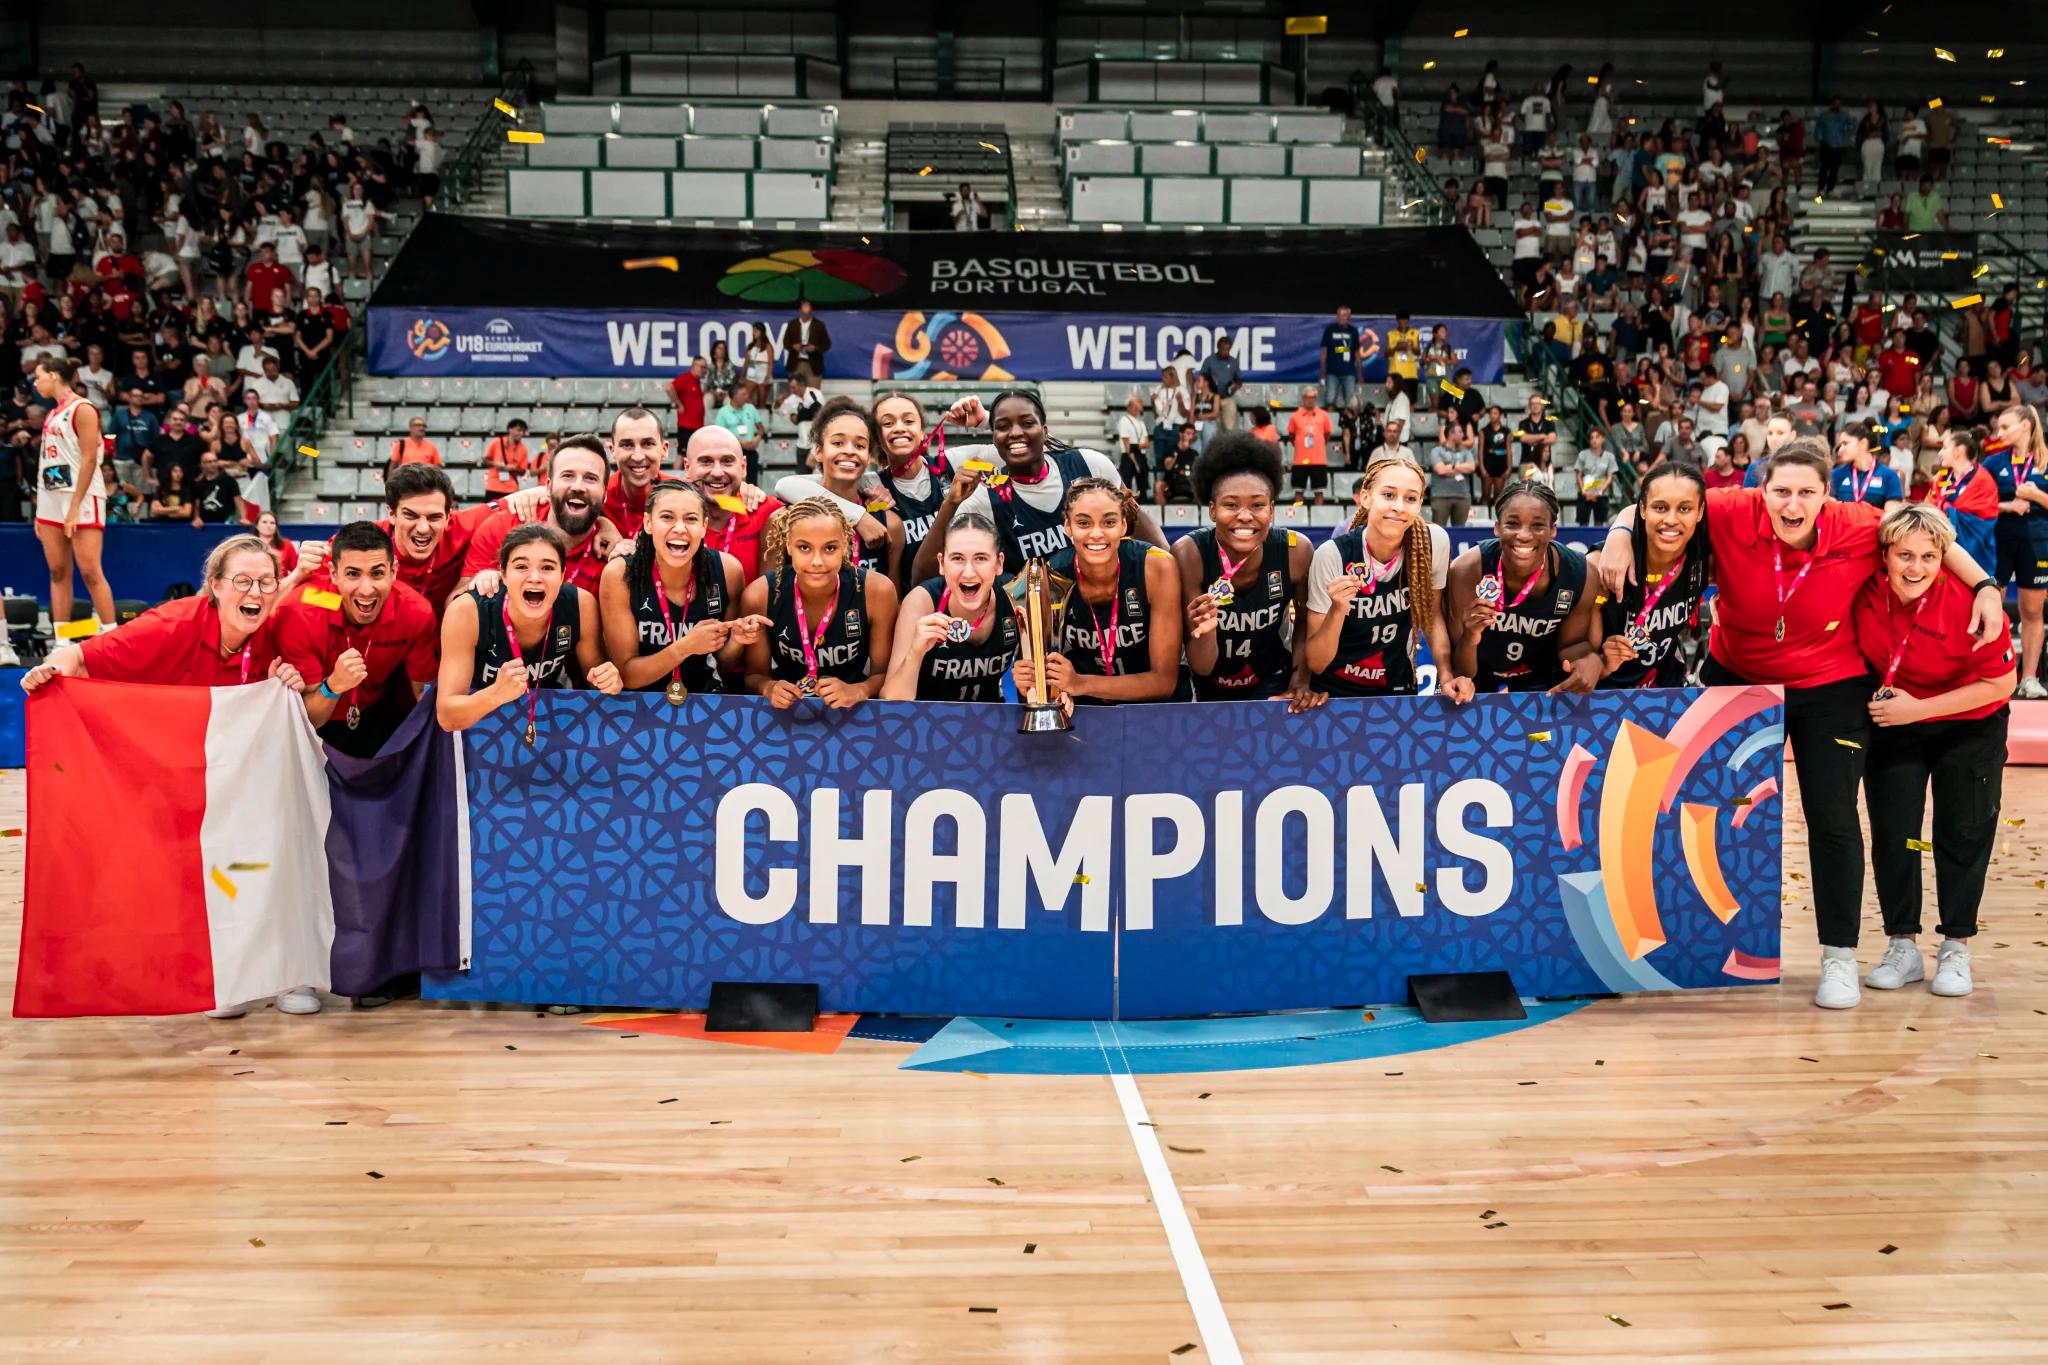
[{"x": 218, "y": 637}]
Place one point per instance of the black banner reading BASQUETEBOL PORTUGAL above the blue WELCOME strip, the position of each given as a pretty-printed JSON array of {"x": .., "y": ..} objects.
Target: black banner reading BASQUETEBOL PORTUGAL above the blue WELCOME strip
[{"x": 495, "y": 265}]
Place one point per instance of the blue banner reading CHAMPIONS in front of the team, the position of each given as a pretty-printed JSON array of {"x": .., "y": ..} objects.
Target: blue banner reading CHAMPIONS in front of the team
[{"x": 931, "y": 861}]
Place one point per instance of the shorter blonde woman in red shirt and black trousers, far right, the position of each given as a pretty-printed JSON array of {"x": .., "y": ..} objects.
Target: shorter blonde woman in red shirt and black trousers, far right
[{"x": 1940, "y": 707}]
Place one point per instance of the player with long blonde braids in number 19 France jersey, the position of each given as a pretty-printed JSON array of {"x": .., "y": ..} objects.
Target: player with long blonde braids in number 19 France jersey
[{"x": 1375, "y": 592}]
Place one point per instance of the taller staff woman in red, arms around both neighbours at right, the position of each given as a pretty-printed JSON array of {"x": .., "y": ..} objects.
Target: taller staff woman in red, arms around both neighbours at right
[{"x": 1789, "y": 562}]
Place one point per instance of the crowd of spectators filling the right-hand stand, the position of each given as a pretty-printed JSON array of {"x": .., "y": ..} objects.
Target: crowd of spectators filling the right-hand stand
[{"x": 1680, "y": 240}]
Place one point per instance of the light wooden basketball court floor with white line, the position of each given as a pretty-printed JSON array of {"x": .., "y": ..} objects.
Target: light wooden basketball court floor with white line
[{"x": 1682, "y": 1178}]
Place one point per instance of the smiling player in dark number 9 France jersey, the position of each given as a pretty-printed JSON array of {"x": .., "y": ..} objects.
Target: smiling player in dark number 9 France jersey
[{"x": 1525, "y": 615}]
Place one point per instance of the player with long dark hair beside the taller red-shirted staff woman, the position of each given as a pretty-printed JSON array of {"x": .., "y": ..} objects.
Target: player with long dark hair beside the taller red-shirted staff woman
[{"x": 1641, "y": 631}]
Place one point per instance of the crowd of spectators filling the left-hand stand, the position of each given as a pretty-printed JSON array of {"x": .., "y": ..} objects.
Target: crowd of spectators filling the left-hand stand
[{"x": 198, "y": 273}]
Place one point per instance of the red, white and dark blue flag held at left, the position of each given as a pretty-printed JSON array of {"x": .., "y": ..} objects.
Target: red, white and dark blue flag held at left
[{"x": 196, "y": 848}]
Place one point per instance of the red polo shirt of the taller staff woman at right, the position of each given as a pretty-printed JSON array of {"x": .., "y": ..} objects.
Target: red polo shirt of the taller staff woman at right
[{"x": 1820, "y": 644}]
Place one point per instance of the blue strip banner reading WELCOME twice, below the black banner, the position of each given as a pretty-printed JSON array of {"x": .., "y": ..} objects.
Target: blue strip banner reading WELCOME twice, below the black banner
[{"x": 884, "y": 345}]
